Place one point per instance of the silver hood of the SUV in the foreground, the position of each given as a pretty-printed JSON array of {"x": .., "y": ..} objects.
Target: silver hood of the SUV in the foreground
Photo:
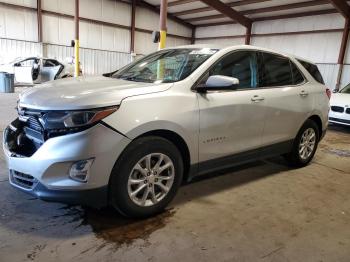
[{"x": 85, "y": 93}]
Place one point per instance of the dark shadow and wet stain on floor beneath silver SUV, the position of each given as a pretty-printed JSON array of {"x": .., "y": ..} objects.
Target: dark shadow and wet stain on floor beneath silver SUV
[{"x": 50, "y": 220}]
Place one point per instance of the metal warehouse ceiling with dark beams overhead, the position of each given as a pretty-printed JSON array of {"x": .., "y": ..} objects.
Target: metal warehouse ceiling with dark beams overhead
[{"x": 208, "y": 12}]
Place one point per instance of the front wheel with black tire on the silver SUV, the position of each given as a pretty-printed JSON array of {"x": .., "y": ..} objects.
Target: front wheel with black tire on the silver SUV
[{"x": 126, "y": 172}]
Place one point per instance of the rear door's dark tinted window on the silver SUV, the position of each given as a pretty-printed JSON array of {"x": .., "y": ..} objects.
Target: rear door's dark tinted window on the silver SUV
[{"x": 277, "y": 71}]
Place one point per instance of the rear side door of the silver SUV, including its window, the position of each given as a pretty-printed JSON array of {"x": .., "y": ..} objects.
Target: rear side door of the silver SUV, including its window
[{"x": 288, "y": 102}]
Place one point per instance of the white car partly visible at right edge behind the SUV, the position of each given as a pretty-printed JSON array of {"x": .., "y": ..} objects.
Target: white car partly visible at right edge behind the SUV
[{"x": 340, "y": 107}]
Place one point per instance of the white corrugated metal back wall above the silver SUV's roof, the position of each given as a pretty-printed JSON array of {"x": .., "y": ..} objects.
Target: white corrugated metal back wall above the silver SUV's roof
[{"x": 321, "y": 48}]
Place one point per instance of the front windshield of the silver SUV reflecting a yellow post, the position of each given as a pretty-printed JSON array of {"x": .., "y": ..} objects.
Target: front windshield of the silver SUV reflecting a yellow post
[{"x": 165, "y": 66}]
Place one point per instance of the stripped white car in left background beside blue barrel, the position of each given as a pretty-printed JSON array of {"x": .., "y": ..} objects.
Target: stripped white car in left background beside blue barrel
[{"x": 34, "y": 70}]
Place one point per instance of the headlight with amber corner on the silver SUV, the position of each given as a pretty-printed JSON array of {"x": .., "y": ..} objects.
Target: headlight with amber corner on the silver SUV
[{"x": 73, "y": 119}]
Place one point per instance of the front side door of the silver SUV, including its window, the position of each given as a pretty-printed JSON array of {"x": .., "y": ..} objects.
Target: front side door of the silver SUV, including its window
[{"x": 231, "y": 122}]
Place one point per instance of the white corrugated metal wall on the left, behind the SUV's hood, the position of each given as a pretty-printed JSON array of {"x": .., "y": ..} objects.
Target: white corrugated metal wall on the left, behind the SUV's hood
[{"x": 104, "y": 48}]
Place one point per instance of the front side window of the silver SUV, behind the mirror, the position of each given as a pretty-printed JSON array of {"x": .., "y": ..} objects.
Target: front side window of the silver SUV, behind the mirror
[{"x": 241, "y": 65}]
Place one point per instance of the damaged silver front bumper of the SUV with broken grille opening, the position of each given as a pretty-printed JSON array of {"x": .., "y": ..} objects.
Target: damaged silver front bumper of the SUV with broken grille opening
[{"x": 41, "y": 168}]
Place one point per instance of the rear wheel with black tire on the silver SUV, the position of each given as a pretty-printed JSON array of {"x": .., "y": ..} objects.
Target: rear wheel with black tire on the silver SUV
[{"x": 298, "y": 157}]
